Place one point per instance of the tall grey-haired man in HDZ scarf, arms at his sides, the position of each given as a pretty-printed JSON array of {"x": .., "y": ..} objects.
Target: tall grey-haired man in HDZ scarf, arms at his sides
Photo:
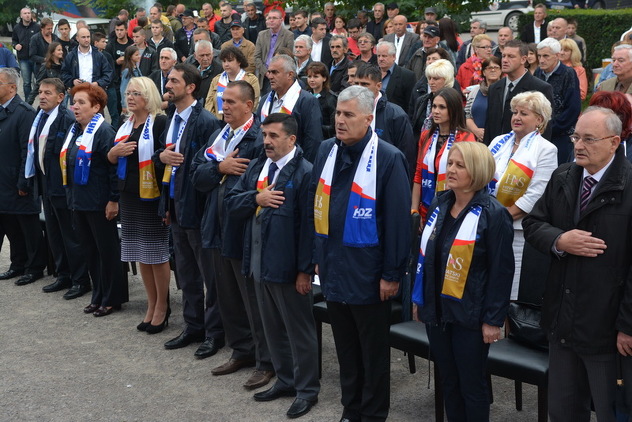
[{"x": 361, "y": 200}]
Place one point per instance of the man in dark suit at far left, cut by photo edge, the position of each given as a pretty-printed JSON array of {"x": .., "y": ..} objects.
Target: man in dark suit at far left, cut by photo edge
[{"x": 19, "y": 205}]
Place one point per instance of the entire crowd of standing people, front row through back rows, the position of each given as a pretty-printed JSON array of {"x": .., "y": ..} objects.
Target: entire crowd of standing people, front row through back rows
[{"x": 254, "y": 159}]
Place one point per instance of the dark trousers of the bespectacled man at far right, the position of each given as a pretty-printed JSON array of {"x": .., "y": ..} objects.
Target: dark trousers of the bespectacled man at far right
[{"x": 574, "y": 379}]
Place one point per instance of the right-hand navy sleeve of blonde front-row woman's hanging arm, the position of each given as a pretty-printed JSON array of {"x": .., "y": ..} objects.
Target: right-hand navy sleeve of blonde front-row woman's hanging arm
[{"x": 500, "y": 266}]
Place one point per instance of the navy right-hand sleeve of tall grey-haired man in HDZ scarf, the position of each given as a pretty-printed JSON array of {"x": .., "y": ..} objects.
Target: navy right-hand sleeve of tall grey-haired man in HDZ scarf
[{"x": 395, "y": 208}]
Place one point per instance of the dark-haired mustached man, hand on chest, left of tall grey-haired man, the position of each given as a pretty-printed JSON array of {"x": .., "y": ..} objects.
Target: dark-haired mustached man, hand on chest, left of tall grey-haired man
[{"x": 270, "y": 200}]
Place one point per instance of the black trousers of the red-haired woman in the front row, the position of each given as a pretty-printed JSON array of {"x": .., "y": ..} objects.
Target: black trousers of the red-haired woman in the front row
[{"x": 98, "y": 238}]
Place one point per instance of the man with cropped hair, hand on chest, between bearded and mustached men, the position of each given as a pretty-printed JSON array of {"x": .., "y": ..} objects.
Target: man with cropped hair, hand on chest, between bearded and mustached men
[{"x": 216, "y": 169}]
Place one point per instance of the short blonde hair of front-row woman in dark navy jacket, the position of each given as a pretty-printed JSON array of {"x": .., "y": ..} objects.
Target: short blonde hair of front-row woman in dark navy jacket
[{"x": 478, "y": 161}]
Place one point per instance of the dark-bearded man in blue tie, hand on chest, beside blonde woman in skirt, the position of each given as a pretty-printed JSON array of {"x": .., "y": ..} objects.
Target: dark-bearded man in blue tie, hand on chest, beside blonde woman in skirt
[{"x": 182, "y": 206}]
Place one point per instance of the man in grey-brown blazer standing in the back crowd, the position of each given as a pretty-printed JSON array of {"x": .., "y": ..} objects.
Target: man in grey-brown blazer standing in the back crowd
[{"x": 268, "y": 42}]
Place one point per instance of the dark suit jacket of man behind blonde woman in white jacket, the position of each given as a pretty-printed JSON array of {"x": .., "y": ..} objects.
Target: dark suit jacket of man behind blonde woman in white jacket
[{"x": 499, "y": 118}]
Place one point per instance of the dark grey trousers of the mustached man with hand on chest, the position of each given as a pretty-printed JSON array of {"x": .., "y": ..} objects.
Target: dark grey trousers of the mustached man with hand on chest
[{"x": 288, "y": 321}]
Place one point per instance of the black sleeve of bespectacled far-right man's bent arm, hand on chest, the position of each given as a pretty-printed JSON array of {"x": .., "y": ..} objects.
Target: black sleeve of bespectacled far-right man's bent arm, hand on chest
[{"x": 538, "y": 230}]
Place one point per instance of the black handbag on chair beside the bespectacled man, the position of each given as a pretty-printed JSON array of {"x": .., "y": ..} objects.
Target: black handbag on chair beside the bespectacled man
[{"x": 524, "y": 325}]
